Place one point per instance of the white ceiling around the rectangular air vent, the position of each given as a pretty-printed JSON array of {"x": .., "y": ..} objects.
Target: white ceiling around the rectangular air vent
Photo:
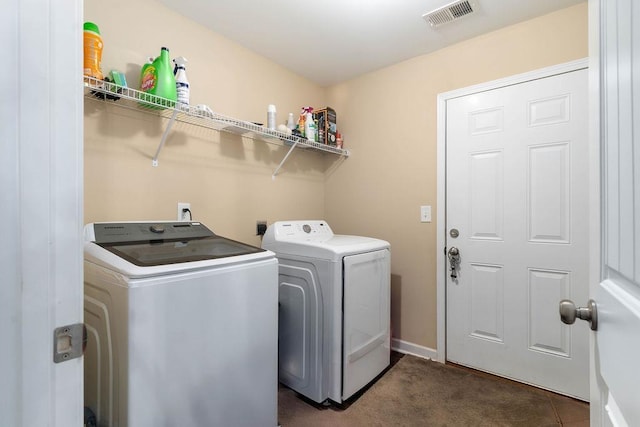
[{"x": 330, "y": 41}]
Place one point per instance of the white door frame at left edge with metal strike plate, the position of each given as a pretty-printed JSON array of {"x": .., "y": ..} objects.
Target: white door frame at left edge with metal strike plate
[{"x": 41, "y": 215}]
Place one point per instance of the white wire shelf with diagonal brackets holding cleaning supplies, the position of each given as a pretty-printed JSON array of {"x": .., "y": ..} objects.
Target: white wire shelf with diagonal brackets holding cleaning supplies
[{"x": 134, "y": 99}]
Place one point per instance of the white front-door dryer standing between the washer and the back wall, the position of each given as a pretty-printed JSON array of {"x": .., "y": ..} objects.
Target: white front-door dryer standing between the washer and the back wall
[{"x": 334, "y": 321}]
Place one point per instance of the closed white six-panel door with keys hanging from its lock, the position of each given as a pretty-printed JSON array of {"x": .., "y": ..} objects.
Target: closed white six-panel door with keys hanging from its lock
[{"x": 517, "y": 194}]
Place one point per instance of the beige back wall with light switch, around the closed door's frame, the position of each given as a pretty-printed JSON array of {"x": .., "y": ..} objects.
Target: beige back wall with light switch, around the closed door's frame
[{"x": 389, "y": 122}]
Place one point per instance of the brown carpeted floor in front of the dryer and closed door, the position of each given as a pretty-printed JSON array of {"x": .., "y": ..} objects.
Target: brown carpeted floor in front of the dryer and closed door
[{"x": 419, "y": 392}]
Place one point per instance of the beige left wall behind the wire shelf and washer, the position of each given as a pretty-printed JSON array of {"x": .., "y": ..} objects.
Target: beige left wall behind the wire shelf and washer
[{"x": 226, "y": 179}]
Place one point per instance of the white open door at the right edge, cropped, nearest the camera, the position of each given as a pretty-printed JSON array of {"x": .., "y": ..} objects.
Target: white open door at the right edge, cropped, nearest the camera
[{"x": 615, "y": 53}]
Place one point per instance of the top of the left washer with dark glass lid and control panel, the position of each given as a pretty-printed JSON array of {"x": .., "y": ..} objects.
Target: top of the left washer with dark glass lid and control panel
[{"x": 145, "y": 249}]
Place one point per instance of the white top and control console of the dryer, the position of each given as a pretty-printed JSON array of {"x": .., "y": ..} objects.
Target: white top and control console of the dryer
[{"x": 315, "y": 239}]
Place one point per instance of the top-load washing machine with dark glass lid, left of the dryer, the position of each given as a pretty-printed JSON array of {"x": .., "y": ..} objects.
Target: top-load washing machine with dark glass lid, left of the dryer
[{"x": 182, "y": 327}]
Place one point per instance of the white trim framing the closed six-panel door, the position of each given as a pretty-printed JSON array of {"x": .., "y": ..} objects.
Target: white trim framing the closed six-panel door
[{"x": 441, "y": 269}]
